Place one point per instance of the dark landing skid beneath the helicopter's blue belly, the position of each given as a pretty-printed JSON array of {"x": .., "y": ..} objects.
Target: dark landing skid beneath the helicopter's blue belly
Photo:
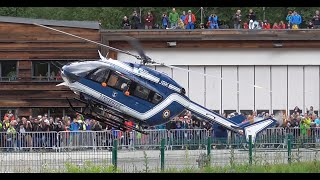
[{"x": 117, "y": 123}]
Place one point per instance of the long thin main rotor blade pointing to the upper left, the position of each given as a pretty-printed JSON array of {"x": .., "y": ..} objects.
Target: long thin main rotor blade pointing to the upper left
[{"x": 100, "y": 44}]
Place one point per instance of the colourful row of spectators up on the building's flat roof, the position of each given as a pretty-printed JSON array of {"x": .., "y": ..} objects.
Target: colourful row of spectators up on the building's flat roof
[{"x": 174, "y": 20}]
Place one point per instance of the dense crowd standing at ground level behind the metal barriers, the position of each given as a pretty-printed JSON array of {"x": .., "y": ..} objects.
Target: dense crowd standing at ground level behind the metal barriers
[{"x": 12, "y": 126}]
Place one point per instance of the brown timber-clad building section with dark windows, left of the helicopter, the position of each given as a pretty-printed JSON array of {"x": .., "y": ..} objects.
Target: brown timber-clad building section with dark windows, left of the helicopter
[{"x": 28, "y": 79}]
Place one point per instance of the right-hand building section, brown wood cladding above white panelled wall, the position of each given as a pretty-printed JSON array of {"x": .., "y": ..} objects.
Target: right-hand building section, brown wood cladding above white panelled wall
[{"x": 262, "y": 70}]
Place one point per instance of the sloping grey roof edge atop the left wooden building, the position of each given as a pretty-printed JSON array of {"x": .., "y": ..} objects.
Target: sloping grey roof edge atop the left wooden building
[{"x": 76, "y": 24}]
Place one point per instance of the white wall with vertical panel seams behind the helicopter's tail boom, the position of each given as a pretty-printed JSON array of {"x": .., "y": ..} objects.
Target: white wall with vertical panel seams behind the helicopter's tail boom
[{"x": 285, "y": 77}]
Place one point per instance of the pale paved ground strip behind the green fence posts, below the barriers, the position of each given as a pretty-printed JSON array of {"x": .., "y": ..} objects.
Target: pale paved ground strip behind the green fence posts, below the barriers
[{"x": 141, "y": 161}]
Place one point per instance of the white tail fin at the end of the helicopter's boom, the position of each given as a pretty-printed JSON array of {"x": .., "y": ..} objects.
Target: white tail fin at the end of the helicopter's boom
[{"x": 255, "y": 128}]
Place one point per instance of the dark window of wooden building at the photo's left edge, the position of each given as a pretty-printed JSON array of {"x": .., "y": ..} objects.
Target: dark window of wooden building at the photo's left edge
[{"x": 8, "y": 70}]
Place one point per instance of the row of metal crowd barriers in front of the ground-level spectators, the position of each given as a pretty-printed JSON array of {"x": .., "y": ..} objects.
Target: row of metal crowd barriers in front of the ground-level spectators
[{"x": 175, "y": 139}]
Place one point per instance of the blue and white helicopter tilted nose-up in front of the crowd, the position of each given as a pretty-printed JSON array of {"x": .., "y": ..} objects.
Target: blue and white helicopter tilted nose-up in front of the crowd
[{"x": 115, "y": 92}]
